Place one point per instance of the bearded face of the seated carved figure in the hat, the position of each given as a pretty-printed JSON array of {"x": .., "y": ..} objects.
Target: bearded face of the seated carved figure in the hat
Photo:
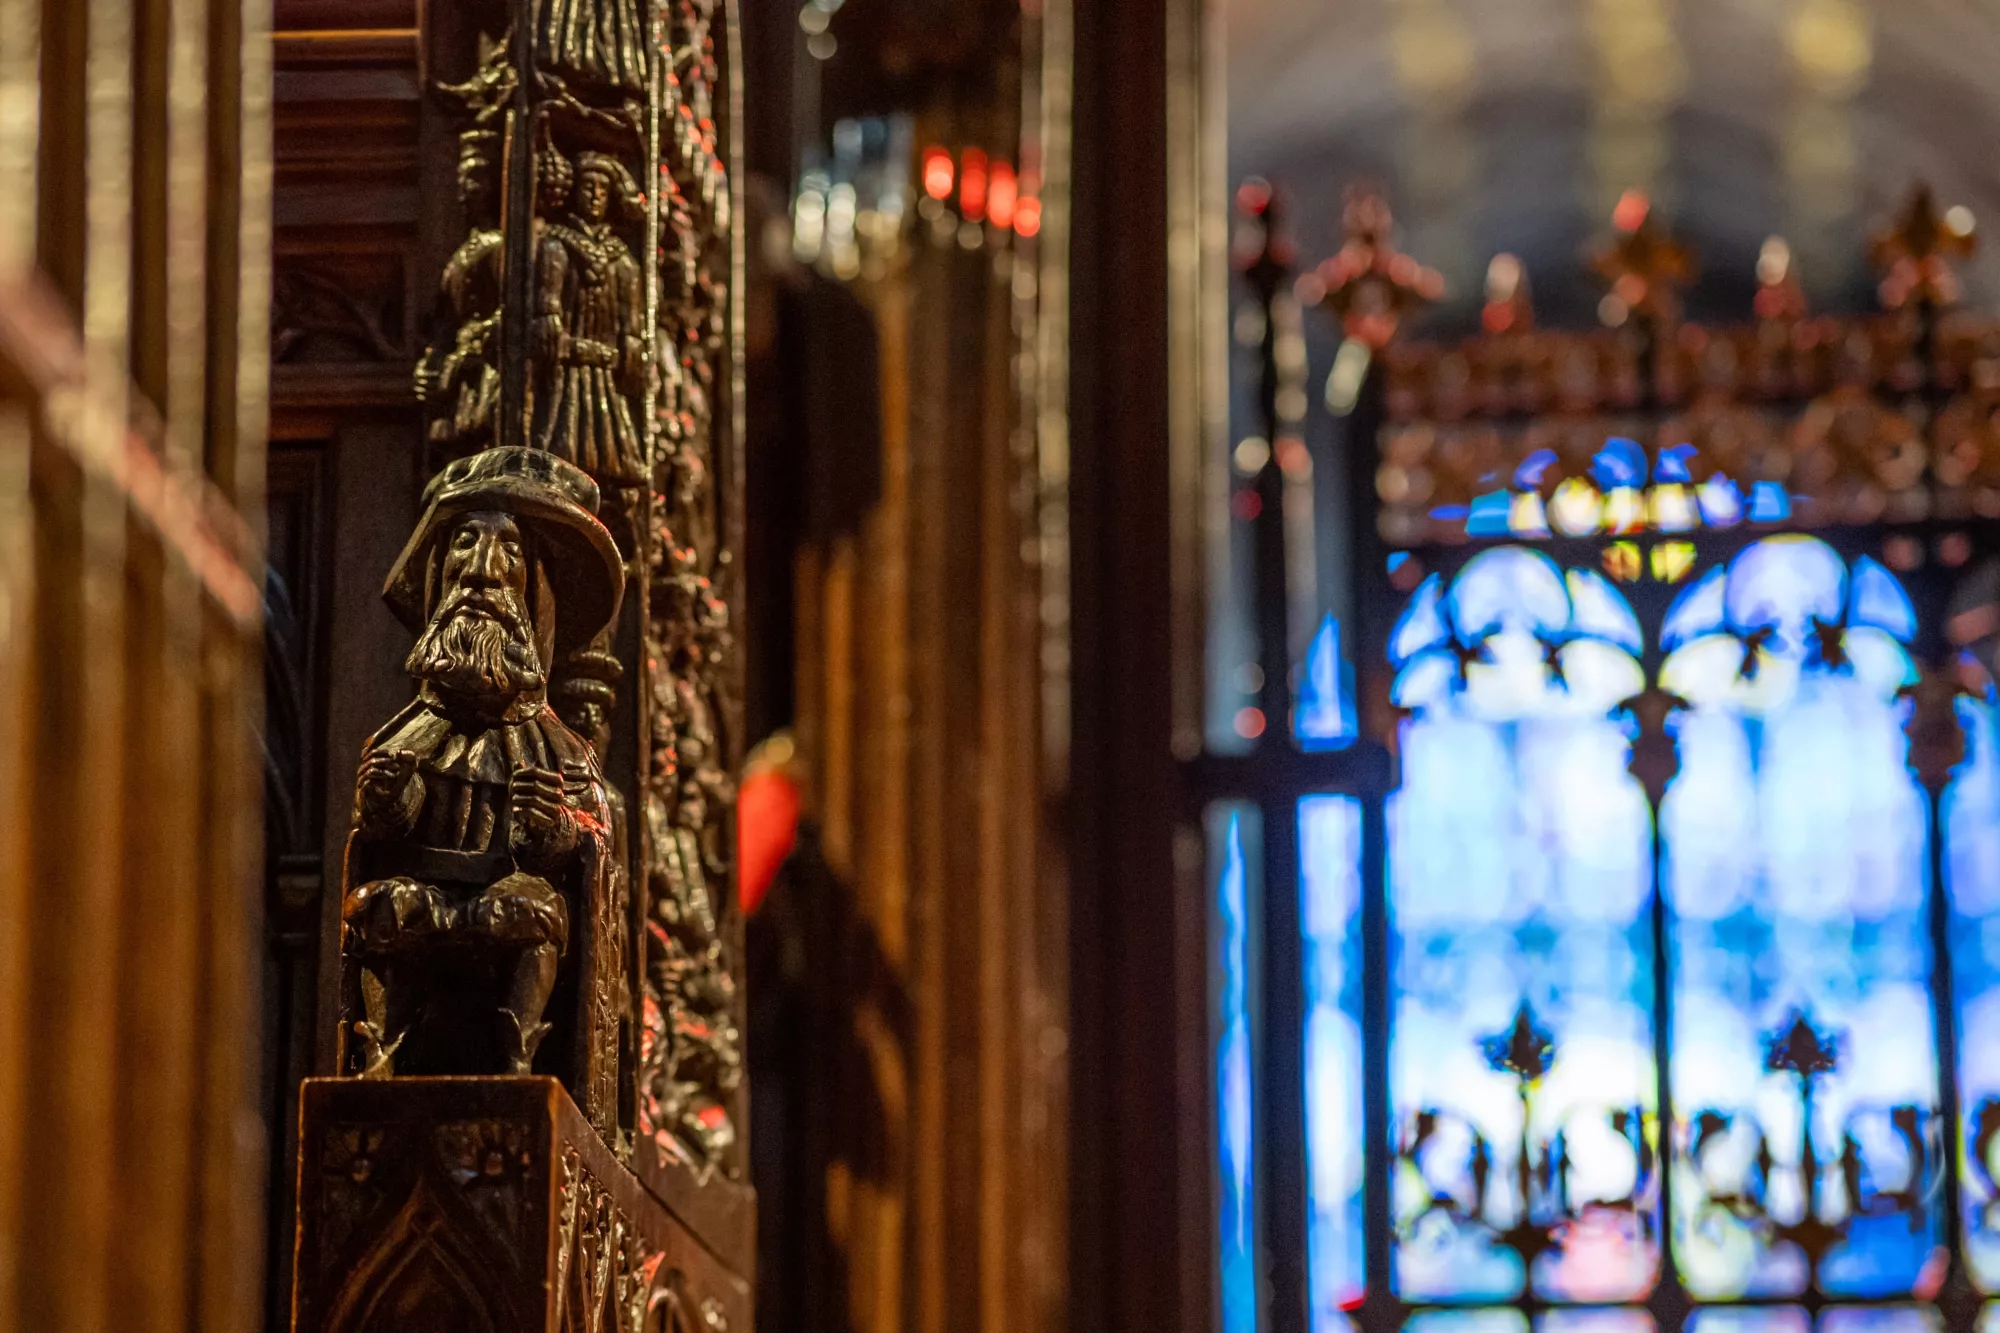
[{"x": 481, "y": 637}]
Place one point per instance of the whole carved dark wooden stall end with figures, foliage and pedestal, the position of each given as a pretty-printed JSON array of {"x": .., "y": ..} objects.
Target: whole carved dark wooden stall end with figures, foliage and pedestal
[{"x": 535, "y": 1120}]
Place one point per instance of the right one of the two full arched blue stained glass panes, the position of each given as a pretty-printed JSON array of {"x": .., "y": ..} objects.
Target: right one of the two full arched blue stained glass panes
[{"x": 1797, "y": 862}]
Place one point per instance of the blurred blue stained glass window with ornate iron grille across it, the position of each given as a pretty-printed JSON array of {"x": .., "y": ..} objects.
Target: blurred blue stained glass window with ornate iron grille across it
[{"x": 1635, "y": 960}]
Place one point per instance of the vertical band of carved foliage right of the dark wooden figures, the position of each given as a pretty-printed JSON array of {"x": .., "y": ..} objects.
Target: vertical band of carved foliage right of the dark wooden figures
[{"x": 691, "y": 1044}]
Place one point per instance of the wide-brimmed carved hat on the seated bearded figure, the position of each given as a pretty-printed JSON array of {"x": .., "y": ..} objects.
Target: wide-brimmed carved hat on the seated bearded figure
[{"x": 553, "y": 499}]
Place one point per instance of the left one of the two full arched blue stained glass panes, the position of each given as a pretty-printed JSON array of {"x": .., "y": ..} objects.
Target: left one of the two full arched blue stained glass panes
[{"x": 1519, "y": 882}]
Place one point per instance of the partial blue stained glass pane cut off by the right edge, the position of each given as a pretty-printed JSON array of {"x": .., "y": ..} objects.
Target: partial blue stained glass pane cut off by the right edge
[{"x": 1973, "y": 882}]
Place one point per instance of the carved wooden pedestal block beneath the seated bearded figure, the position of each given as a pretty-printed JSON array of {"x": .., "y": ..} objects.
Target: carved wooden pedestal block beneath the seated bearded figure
[{"x": 487, "y": 1206}]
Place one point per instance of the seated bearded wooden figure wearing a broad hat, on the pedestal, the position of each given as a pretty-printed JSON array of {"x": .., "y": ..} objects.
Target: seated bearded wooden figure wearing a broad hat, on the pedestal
[{"x": 481, "y": 854}]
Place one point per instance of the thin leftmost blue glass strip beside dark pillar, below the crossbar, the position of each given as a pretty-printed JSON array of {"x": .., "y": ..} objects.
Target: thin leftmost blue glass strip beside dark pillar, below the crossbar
[{"x": 1235, "y": 1126}]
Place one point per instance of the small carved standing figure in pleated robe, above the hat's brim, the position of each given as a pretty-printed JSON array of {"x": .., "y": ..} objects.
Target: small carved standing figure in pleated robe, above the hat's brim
[{"x": 589, "y": 331}]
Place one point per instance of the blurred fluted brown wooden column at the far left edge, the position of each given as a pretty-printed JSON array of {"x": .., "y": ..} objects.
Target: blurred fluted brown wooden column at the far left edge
[{"x": 131, "y": 491}]
